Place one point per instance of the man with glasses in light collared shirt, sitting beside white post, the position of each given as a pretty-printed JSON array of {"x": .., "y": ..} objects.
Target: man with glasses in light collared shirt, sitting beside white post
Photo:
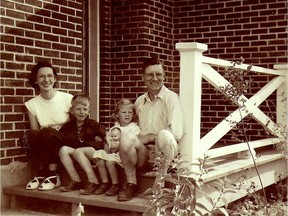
[{"x": 161, "y": 122}]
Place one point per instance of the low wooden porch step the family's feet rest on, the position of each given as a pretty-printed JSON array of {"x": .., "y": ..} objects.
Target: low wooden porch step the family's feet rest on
[{"x": 56, "y": 198}]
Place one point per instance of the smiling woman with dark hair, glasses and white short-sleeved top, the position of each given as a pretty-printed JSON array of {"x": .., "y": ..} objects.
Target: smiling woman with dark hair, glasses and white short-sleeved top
[{"x": 47, "y": 113}]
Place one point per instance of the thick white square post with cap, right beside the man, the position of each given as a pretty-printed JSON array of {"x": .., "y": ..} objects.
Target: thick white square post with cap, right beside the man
[{"x": 190, "y": 96}]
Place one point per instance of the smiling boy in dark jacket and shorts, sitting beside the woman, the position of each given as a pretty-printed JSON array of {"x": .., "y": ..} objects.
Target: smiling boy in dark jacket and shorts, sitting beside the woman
[{"x": 81, "y": 133}]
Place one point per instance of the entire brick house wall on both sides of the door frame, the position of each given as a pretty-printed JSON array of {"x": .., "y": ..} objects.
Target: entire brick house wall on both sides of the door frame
[{"x": 129, "y": 31}]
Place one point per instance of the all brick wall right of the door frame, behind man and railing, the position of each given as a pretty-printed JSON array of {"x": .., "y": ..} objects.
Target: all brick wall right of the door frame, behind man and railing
[{"x": 255, "y": 30}]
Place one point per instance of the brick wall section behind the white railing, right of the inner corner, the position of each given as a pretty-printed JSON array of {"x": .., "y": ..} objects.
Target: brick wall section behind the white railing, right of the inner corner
[{"x": 255, "y": 30}]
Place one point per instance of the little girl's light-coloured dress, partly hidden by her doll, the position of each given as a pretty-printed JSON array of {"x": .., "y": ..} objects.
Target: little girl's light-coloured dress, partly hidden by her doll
[{"x": 130, "y": 130}]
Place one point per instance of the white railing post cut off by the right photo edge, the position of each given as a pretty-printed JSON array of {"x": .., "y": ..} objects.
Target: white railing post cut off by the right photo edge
[{"x": 282, "y": 101}]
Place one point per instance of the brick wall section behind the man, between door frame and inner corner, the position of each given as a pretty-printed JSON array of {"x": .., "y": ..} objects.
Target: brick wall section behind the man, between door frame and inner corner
[{"x": 136, "y": 29}]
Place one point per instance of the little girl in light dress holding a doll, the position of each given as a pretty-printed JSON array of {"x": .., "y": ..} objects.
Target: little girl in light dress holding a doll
[{"x": 107, "y": 159}]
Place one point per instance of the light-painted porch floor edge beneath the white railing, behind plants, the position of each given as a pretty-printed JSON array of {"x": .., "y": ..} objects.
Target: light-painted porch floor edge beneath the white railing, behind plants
[{"x": 271, "y": 166}]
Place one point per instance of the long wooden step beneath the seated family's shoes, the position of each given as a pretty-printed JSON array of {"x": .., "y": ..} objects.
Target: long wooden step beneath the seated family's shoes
[{"x": 56, "y": 202}]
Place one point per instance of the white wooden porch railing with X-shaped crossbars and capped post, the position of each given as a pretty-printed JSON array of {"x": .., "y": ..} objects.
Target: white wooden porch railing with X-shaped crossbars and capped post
[{"x": 193, "y": 67}]
